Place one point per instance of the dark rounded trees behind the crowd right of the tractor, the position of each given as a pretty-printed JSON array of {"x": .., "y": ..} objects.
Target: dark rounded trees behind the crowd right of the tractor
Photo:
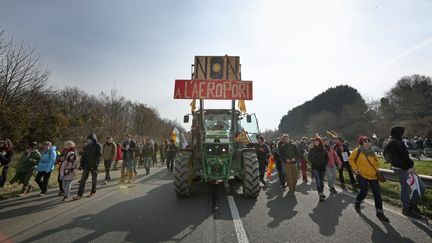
[{"x": 342, "y": 109}]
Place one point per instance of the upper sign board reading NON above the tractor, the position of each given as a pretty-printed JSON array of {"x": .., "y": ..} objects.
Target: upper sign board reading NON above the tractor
[{"x": 217, "y": 68}]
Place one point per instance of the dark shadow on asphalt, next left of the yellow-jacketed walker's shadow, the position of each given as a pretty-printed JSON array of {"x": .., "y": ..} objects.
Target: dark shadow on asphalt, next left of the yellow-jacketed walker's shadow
[{"x": 327, "y": 217}]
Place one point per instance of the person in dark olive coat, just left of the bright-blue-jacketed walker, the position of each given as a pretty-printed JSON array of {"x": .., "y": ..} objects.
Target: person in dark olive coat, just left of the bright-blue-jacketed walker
[{"x": 25, "y": 167}]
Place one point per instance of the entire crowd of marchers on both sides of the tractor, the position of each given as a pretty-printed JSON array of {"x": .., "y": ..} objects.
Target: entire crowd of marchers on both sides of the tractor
[{"x": 326, "y": 157}]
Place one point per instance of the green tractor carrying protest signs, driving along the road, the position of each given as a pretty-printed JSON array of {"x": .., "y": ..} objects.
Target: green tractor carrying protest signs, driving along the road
[{"x": 221, "y": 148}]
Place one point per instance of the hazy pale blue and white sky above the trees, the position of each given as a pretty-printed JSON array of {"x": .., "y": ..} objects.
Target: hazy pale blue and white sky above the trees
[{"x": 291, "y": 50}]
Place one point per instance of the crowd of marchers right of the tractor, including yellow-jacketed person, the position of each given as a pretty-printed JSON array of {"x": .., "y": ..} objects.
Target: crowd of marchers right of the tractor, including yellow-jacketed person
[{"x": 327, "y": 156}]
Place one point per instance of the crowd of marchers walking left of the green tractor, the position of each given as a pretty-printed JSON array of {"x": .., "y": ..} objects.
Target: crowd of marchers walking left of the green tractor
[{"x": 131, "y": 153}]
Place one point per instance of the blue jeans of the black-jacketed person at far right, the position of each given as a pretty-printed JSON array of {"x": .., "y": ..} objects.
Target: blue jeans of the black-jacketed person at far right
[{"x": 407, "y": 202}]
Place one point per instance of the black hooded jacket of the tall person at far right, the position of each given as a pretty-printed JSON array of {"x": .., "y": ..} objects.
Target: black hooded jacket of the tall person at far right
[{"x": 396, "y": 151}]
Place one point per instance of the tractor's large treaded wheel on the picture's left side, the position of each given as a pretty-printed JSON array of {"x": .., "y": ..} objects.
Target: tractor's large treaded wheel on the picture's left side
[{"x": 183, "y": 174}]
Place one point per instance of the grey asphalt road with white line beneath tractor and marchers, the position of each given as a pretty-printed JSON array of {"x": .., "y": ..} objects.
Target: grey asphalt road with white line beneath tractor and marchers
[{"x": 148, "y": 211}]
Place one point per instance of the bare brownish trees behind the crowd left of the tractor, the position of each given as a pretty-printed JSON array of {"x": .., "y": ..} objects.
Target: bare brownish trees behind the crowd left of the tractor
[{"x": 31, "y": 110}]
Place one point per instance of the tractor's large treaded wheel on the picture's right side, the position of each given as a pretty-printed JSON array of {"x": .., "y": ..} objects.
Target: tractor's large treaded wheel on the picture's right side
[{"x": 251, "y": 187}]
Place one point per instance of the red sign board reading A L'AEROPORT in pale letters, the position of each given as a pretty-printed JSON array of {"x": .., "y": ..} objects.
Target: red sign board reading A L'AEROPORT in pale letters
[{"x": 213, "y": 89}]
